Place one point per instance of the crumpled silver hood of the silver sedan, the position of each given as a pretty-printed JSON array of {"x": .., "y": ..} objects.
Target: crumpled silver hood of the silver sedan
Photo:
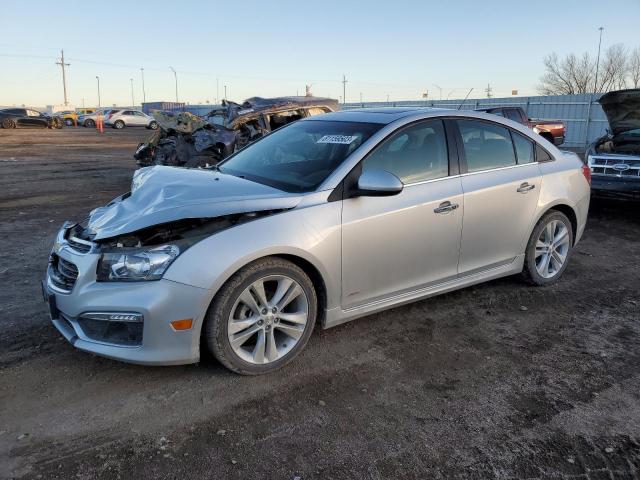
[{"x": 164, "y": 194}]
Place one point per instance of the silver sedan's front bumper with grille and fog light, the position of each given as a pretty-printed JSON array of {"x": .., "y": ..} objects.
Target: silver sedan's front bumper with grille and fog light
[{"x": 128, "y": 321}]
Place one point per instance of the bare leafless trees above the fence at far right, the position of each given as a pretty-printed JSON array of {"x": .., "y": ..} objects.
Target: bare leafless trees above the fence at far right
[{"x": 573, "y": 74}]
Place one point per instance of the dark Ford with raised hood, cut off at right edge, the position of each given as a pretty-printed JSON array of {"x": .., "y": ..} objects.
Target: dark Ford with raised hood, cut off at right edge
[{"x": 614, "y": 159}]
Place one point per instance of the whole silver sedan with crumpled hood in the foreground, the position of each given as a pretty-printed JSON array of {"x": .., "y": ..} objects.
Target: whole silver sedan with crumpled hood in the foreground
[{"x": 323, "y": 221}]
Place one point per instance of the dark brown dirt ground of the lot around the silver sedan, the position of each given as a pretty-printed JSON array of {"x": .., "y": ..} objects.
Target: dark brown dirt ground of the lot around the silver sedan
[{"x": 496, "y": 381}]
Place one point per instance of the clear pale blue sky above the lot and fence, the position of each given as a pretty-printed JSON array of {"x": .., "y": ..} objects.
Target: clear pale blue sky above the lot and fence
[{"x": 395, "y": 50}]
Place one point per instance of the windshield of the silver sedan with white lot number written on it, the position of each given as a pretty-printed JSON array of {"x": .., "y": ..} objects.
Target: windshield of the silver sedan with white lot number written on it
[{"x": 300, "y": 156}]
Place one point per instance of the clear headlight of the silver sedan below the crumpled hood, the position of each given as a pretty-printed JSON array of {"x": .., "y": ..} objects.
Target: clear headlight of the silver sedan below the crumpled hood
[{"x": 134, "y": 265}]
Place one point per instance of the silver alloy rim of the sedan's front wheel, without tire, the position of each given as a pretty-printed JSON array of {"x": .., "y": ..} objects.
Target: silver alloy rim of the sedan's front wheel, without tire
[{"x": 268, "y": 319}]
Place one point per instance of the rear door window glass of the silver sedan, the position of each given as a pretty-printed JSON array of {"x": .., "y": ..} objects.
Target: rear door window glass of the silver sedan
[{"x": 486, "y": 145}]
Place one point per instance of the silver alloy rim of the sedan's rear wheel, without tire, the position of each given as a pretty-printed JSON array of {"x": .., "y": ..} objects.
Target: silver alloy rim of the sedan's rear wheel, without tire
[{"x": 552, "y": 248}]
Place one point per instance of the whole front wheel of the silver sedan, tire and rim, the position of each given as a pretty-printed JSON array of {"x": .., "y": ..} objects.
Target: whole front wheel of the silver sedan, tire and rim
[{"x": 262, "y": 318}]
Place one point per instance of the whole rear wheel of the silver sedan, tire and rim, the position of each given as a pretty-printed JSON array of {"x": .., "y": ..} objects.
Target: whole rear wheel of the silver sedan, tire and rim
[{"x": 549, "y": 249}]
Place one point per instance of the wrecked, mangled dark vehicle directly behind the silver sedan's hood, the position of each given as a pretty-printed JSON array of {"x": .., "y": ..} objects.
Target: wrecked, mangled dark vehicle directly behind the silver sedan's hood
[{"x": 186, "y": 140}]
